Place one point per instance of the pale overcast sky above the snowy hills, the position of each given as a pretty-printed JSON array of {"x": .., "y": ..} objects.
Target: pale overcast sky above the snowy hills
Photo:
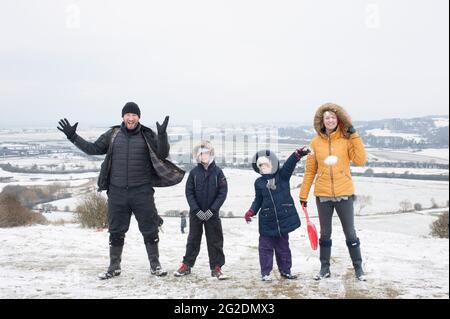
[{"x": 221, "y": 61}]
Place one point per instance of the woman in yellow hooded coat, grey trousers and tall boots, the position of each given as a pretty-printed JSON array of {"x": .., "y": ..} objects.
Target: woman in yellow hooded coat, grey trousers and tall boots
[{"x": 335, "y": 146}]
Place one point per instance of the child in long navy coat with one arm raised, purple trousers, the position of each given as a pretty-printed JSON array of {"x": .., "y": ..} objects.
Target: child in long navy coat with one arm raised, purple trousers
[{"x": 277, "y": 213}]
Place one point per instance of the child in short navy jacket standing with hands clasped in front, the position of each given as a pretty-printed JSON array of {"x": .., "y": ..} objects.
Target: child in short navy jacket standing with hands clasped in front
[{"x": 206, "y": 192}]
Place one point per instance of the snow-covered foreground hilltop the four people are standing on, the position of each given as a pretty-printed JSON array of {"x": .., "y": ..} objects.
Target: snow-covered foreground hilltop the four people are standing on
[{"x": 400, "y": 259}]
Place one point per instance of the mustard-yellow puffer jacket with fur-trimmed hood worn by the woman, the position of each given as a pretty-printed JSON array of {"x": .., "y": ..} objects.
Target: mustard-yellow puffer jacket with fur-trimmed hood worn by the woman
[{"x": 332, "y": 180}]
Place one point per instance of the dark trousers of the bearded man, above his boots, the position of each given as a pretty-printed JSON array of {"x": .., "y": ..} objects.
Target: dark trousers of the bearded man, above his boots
[{"x": 122, "y": 203}]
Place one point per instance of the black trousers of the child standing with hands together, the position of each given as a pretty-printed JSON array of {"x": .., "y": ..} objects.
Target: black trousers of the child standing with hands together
[{"x": 214, "y": 240}]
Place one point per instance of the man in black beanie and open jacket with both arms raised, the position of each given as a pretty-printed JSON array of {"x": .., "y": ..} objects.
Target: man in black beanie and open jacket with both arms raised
[{"x": 135, "y": 162}]
